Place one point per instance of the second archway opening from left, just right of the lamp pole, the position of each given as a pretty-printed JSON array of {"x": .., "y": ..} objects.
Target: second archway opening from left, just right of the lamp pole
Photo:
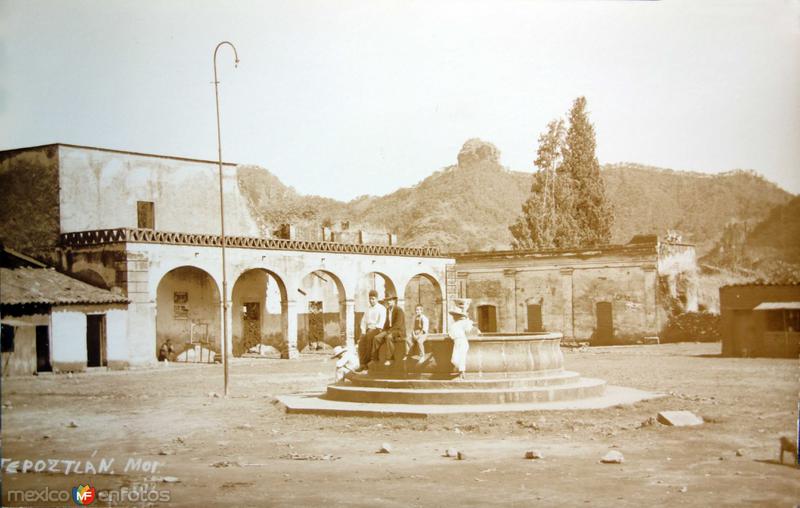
[{"x": 258, "y": 312}]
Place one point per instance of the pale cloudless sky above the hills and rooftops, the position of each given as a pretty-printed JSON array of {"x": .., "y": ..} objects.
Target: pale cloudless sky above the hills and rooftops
[{"x": 343, "y": 98}]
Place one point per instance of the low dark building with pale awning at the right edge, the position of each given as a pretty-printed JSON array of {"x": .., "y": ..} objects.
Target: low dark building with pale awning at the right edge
[{"x": 760, "y": 320}]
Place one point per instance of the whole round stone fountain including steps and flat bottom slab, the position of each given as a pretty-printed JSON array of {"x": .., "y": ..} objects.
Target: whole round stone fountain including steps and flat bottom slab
[{"x": 505, "y": 372}]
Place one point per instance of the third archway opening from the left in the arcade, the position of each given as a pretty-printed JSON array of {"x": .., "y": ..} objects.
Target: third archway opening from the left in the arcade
[{"x": 321, "y": 310}]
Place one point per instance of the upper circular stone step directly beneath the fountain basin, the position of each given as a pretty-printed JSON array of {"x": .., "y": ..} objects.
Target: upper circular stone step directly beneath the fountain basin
[{"x": 557, "y": 378}]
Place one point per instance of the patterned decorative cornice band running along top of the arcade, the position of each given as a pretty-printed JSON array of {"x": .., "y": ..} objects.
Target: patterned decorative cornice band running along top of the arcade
[{"x": 131, "y": 235}]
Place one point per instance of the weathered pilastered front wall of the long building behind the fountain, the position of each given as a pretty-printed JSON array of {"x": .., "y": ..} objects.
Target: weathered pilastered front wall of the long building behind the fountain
[{"x": 567, "y": 287}]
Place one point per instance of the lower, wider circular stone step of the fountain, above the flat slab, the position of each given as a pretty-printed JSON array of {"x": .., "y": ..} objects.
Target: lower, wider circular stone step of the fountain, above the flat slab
[{"x": 582, "y": 388}]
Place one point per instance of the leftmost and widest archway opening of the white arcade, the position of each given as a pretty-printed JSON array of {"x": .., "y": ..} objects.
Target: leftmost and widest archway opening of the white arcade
[{"x": 188, "y": 311}]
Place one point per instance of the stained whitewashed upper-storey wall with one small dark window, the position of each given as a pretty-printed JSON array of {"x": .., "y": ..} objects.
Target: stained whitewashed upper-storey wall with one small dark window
[{"x": 100, "y": 189}]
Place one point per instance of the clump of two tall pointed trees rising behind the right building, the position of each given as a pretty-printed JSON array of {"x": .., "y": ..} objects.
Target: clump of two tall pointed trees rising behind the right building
[{"x": 567, "y": 205}]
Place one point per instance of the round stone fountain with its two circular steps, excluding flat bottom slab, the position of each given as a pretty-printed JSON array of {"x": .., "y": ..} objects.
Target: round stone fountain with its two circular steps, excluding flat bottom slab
[{"x": 501, "y": 368}]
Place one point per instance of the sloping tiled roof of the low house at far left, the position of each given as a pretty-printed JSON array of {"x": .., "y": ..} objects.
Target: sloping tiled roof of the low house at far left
[{"x": 46, "y": 286}]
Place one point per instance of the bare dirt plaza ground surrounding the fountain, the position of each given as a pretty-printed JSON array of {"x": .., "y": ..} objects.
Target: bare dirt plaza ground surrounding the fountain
[{"x": 245, "y": 451}]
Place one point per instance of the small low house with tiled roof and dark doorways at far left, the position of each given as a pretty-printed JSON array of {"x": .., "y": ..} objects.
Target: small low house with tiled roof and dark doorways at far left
[{"x": 52, "y": 322}]
